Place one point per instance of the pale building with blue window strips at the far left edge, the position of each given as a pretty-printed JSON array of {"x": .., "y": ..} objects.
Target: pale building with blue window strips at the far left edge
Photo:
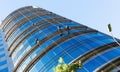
[{"x": 6, "y": 64}]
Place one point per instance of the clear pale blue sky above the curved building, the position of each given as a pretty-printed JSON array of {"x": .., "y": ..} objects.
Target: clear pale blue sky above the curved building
[{"x": 96, "y": 14}]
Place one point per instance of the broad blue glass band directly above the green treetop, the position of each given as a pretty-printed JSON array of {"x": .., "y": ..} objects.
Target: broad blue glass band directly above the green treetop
[{"x": 71, "y": 51}]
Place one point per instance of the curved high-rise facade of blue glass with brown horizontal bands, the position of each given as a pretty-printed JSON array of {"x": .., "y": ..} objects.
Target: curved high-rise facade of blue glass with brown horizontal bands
[{"x": 37, "y": 38}]
